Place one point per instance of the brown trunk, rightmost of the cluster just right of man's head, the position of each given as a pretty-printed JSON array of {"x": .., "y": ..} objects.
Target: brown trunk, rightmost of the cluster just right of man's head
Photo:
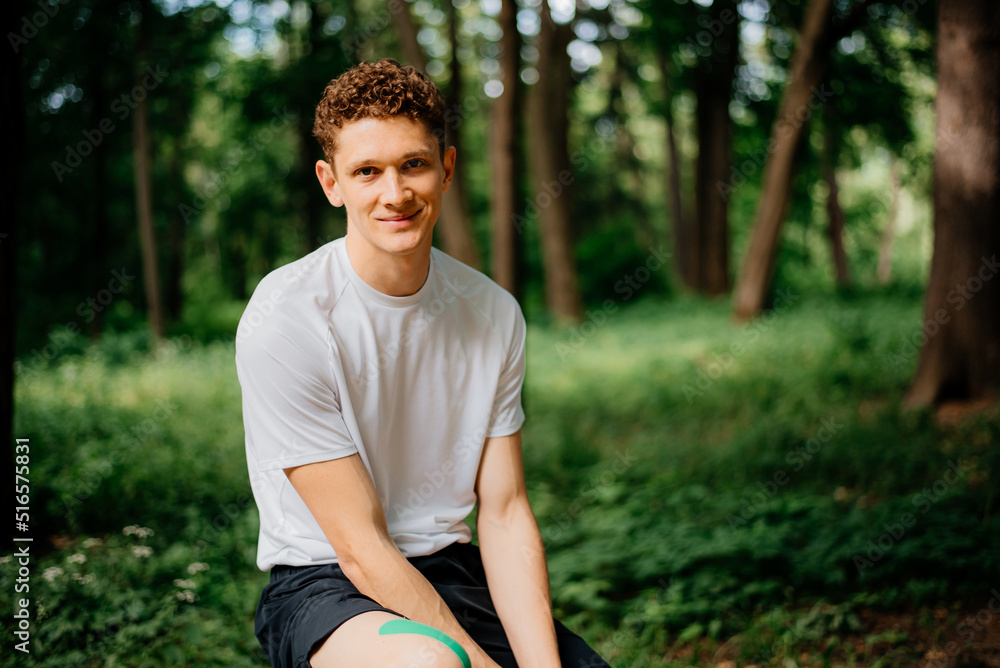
[{"x": 549, "y": 105}]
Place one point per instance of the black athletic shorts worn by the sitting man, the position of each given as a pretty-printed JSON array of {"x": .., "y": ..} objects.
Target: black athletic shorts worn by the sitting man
[{"x": 303, "y": 605}]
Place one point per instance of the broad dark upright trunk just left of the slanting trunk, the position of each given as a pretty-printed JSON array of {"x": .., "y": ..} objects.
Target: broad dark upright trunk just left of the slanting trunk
[{"x": 713, "y": 91}]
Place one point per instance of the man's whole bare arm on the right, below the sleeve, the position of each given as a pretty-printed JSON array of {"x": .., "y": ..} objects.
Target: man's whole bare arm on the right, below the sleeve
[{"x": 514, "y": 555}]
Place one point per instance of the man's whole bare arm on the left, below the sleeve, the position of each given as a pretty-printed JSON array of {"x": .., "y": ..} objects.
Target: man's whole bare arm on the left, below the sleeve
[{"x": 341, "y": 496}]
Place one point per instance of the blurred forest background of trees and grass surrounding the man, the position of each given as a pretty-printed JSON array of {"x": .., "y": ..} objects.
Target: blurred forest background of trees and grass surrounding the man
[{"x": 755, "y": 243}]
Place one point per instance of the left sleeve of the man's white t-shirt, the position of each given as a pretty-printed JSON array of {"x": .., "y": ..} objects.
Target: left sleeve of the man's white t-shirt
[{"x": 291, "y": 411}]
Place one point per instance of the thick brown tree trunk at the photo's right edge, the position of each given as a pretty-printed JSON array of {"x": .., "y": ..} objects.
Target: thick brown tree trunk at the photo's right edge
[{"x": 960, "y": 354}]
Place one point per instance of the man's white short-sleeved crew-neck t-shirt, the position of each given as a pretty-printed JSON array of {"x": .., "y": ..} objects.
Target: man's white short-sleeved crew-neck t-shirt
[{"x": 329, "y": 366}]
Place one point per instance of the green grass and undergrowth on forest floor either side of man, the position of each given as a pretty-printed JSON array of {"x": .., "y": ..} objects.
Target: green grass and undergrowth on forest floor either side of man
[{"x": 704, "y": 488}]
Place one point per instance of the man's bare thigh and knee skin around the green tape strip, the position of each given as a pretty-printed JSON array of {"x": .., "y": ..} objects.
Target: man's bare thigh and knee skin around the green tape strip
[{"x": 357, "y": 643}]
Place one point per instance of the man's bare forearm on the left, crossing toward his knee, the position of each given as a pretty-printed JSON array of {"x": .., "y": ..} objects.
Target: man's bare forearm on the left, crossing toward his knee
[{"x": 385, "y": 575}]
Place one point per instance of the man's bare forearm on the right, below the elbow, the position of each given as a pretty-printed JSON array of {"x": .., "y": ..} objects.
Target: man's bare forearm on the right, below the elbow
[{"x": 514, "y": 558}]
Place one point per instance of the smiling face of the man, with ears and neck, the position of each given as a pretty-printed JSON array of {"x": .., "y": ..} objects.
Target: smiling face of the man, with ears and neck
[{"x": 389, "y": 175}]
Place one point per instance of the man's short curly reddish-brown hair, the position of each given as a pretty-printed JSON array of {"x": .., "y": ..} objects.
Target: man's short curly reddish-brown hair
[{"x": 378, "y": 90}]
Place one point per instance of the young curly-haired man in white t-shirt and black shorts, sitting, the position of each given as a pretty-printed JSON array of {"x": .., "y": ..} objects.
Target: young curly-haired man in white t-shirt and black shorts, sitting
[{"x": 382, "y": 401}]
